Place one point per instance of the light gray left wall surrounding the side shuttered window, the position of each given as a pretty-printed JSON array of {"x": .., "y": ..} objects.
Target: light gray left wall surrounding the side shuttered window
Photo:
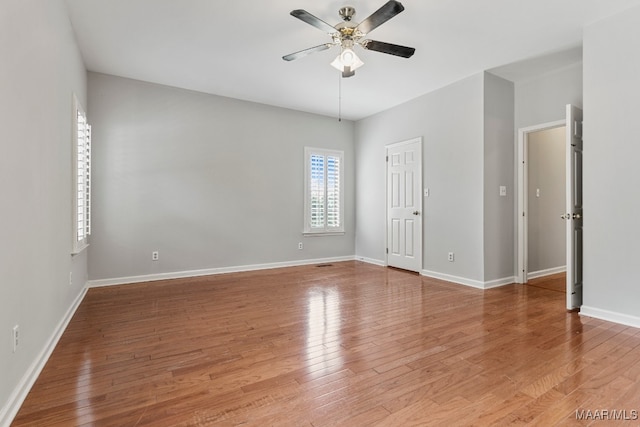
[{"x": 41, "y": 69}]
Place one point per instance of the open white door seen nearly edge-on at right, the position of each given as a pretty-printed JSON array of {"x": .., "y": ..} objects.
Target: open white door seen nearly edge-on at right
[{"x": 574, "y": 213}]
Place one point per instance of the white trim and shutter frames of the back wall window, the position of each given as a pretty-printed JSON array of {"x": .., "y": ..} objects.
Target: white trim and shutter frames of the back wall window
[{"x": 325, "y": 230}]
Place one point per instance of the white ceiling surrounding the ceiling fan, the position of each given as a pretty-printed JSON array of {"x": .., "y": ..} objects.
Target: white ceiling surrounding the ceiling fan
[{"x": 234, "y": 48}]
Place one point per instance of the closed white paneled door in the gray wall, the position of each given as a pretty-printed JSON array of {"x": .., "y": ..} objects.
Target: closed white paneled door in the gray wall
[{"x": 404, "y": 205}]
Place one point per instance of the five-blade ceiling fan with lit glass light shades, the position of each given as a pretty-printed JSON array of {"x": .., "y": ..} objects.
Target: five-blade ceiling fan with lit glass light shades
[{"x": 347, "y": 34}]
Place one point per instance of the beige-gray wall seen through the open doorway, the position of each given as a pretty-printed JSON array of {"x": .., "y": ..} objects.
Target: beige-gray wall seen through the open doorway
[{"x": 546, "y": 166}]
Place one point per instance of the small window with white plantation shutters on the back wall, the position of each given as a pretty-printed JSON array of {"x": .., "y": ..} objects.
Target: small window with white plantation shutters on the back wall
[{"x": 324, "y": 194}]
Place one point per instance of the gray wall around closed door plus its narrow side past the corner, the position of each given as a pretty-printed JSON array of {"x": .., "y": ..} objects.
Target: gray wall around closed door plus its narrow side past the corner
[{"x": 468, "y": 152}]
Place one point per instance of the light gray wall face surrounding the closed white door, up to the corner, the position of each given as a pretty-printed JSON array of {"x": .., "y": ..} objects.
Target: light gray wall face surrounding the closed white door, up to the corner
[{"x": 450, "y": 120}]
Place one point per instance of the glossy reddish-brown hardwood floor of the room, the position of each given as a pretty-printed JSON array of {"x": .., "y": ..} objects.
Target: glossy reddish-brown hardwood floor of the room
[{"x": 345, "y": 344}]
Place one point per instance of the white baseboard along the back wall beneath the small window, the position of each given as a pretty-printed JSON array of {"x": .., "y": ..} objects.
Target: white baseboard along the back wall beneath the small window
[{"x": 211, "y": 271}]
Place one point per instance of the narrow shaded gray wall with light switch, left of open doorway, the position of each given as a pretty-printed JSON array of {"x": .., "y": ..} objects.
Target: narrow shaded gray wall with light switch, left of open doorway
[{"x": 499, "y": 149}]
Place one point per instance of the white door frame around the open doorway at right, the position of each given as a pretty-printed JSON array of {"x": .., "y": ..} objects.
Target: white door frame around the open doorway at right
[{"x": 523, "y": 205}]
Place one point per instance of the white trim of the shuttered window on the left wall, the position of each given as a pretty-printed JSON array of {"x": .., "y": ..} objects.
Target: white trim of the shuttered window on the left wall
[{"x": 78, "y": 245}]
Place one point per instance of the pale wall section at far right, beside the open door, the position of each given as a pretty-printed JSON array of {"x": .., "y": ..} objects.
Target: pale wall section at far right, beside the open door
[{"x": 611, "y": 172}]
